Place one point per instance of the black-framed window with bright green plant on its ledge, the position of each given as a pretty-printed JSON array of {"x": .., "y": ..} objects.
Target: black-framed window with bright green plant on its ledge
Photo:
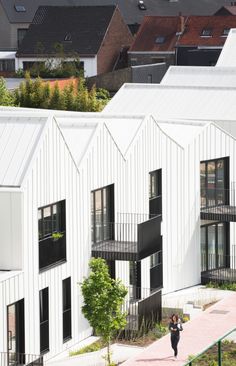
[{"x": 52, "y": 234}]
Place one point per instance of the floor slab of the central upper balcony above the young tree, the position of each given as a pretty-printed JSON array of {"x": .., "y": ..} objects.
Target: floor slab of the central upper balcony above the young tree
[{"x": 116, "y": 250}]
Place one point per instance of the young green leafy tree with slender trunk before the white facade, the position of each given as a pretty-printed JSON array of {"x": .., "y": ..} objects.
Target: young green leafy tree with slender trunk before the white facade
[{"x": 103, "y": 298}]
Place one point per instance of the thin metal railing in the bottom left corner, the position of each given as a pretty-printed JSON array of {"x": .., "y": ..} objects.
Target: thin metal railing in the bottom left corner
[{"x": 20, "y": 359}]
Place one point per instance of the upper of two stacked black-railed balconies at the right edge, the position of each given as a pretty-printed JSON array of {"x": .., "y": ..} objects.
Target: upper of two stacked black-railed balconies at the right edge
[{"x": 218, "y": 204}]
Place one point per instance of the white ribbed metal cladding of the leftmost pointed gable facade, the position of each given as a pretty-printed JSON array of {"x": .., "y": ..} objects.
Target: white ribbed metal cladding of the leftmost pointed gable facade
[{"x": 54, "y": 177}]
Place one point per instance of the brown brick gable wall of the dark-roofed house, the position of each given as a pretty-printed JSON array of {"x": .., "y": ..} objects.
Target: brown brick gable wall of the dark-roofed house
[{"x": 118, "y": 35}]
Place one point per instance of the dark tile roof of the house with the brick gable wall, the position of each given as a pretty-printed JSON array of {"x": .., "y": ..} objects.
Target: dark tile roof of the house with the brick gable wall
[{"x": 79, "y": 29}]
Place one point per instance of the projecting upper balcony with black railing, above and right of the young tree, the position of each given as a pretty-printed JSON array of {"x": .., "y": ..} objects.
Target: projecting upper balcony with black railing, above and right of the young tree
[{"x": 134, "y": 238}]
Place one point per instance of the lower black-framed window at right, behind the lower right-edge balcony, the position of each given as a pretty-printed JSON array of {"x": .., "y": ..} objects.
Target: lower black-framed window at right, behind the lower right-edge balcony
[{"x": 214, "y": 246}]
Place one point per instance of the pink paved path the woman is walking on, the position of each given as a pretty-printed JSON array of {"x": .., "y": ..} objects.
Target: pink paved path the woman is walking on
[{"x": 198, "y": 334}]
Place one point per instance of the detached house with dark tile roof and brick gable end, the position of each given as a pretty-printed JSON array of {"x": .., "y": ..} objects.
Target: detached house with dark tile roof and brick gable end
[{"x": 96, "y": 34}]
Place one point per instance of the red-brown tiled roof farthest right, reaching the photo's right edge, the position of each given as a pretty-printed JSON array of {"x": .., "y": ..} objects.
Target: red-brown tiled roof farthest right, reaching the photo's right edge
[{"x": 195, "y": 25}]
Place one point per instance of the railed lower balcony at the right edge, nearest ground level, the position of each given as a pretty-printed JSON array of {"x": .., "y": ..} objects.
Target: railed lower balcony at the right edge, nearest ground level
[{"x": 218, "y": 268}]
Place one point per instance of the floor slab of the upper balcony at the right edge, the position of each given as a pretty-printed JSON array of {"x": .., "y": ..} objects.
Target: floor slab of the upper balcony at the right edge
[{"x": 219, "y": 213}]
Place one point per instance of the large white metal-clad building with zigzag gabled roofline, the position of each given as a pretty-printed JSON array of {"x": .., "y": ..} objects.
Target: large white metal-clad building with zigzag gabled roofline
[{"x": 148, "y": 185}]
